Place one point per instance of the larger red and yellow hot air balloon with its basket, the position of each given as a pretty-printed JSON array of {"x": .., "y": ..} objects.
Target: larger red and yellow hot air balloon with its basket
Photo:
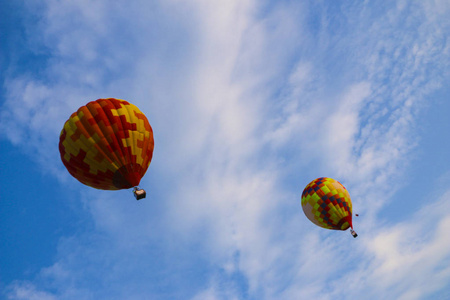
[{"x": 107, "y": 144}]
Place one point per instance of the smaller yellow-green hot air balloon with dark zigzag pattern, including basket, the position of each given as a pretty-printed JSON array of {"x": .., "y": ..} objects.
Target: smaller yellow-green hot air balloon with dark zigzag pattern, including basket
[{"x": 326, "y": 203}]
